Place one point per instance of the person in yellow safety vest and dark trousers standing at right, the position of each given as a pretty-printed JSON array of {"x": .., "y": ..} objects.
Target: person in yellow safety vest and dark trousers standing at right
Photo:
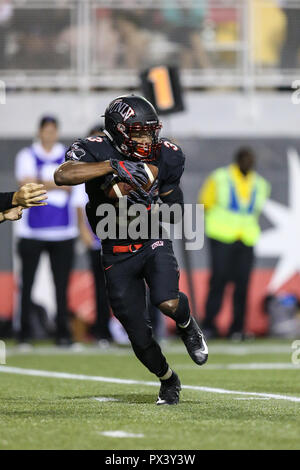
[{"x": 233, "y": 199}]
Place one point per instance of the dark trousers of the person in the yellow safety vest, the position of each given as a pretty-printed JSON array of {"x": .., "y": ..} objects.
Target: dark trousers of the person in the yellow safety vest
[{"x": 230, "y": 262}]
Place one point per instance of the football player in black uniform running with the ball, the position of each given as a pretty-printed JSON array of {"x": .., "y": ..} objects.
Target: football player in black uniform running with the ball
[{"x": 132, "y": 138}]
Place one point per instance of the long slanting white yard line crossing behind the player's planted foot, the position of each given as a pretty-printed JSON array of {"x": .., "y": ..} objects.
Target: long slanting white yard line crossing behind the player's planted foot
[{"x": 65, "y": 375}]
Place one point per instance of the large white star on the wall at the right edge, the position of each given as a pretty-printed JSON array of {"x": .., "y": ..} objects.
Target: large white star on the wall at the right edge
[{"x": 283, "y": 240}]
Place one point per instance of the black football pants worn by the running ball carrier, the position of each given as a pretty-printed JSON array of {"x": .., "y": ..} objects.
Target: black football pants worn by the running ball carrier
[{"x": 126, "y": 275}]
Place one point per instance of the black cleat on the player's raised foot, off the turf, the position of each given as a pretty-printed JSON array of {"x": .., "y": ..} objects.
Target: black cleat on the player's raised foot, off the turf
[{"x": 194, "y": 341}]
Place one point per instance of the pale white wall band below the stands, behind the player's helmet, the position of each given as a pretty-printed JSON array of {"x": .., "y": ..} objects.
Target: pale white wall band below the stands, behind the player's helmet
[{"x": 207, "y": 113}]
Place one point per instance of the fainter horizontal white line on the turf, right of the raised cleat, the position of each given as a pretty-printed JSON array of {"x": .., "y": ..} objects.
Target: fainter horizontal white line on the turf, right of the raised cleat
[{"x": 247, "y": 366}]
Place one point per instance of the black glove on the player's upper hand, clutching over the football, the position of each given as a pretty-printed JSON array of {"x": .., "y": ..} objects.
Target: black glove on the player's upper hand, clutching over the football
[{"x": 132, "y": 173}]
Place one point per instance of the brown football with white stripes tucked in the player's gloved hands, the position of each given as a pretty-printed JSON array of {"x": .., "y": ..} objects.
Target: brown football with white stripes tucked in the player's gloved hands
[{"x": 117, "y": 189}]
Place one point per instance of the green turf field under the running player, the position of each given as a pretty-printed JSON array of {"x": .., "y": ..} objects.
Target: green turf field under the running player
[{"x": 51, "y": 411}]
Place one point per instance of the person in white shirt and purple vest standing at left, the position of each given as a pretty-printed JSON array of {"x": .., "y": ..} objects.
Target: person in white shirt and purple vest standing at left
[{"x": 52, "y": 228}]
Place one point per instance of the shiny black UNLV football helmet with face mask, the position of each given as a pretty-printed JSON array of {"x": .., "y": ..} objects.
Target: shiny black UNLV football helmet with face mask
[{"x": 128, "y": 114}]
